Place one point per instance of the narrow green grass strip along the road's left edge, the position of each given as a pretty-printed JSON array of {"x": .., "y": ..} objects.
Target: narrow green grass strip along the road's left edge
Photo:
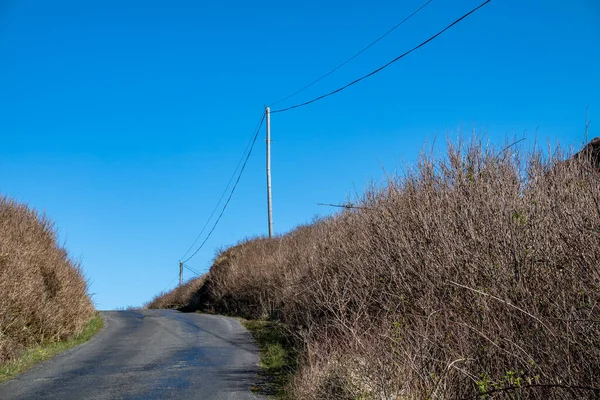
[{"x": 34, "y": 355}]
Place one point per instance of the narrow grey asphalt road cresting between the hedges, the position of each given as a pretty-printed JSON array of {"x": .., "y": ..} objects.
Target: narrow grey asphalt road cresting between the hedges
[{"x": 149, "y": 354}]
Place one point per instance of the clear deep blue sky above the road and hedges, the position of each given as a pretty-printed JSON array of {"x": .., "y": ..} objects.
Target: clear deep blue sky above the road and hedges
[{"x": 123, "y": 120}]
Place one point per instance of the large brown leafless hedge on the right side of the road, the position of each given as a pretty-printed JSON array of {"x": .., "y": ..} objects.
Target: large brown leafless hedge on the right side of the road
[{"x": 475, "y": 276}]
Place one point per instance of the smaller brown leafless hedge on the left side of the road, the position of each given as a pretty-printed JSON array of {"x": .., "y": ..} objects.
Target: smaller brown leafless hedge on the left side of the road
[{"x": 43, "y": 296}]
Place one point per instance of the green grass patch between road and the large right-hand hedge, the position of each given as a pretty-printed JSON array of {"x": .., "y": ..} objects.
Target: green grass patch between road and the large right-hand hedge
[{"x": 277, "y": 357}]
